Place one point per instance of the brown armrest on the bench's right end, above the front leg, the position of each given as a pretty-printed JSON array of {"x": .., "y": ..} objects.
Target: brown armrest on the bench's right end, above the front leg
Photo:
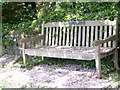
[{"x": 98, "y": 42}]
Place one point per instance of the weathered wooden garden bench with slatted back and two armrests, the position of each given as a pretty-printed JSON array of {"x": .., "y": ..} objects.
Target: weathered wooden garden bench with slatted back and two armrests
[{"x": 81, "y": 40}]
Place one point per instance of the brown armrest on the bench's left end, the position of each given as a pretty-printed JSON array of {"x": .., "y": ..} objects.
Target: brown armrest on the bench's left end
[{"x": 36, "y": 38}]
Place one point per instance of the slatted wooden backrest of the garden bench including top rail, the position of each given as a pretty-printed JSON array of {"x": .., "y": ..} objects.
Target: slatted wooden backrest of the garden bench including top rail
[{"x": 78, "y": 33}]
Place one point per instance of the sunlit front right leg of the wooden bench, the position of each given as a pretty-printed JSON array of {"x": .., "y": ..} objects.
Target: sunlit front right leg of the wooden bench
[{"x": 98, "y": 63}]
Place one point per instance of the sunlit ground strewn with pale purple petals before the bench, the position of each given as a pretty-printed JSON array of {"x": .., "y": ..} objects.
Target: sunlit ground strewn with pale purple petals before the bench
[{"x": 45, "y": 76}]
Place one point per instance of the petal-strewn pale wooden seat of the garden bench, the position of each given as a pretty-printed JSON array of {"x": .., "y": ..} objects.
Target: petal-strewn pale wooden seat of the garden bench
[{"x": 69, "y": 52}]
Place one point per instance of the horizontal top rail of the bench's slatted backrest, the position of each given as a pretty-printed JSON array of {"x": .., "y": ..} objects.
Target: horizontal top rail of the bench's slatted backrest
[{"x": 79, "y": 23}]
